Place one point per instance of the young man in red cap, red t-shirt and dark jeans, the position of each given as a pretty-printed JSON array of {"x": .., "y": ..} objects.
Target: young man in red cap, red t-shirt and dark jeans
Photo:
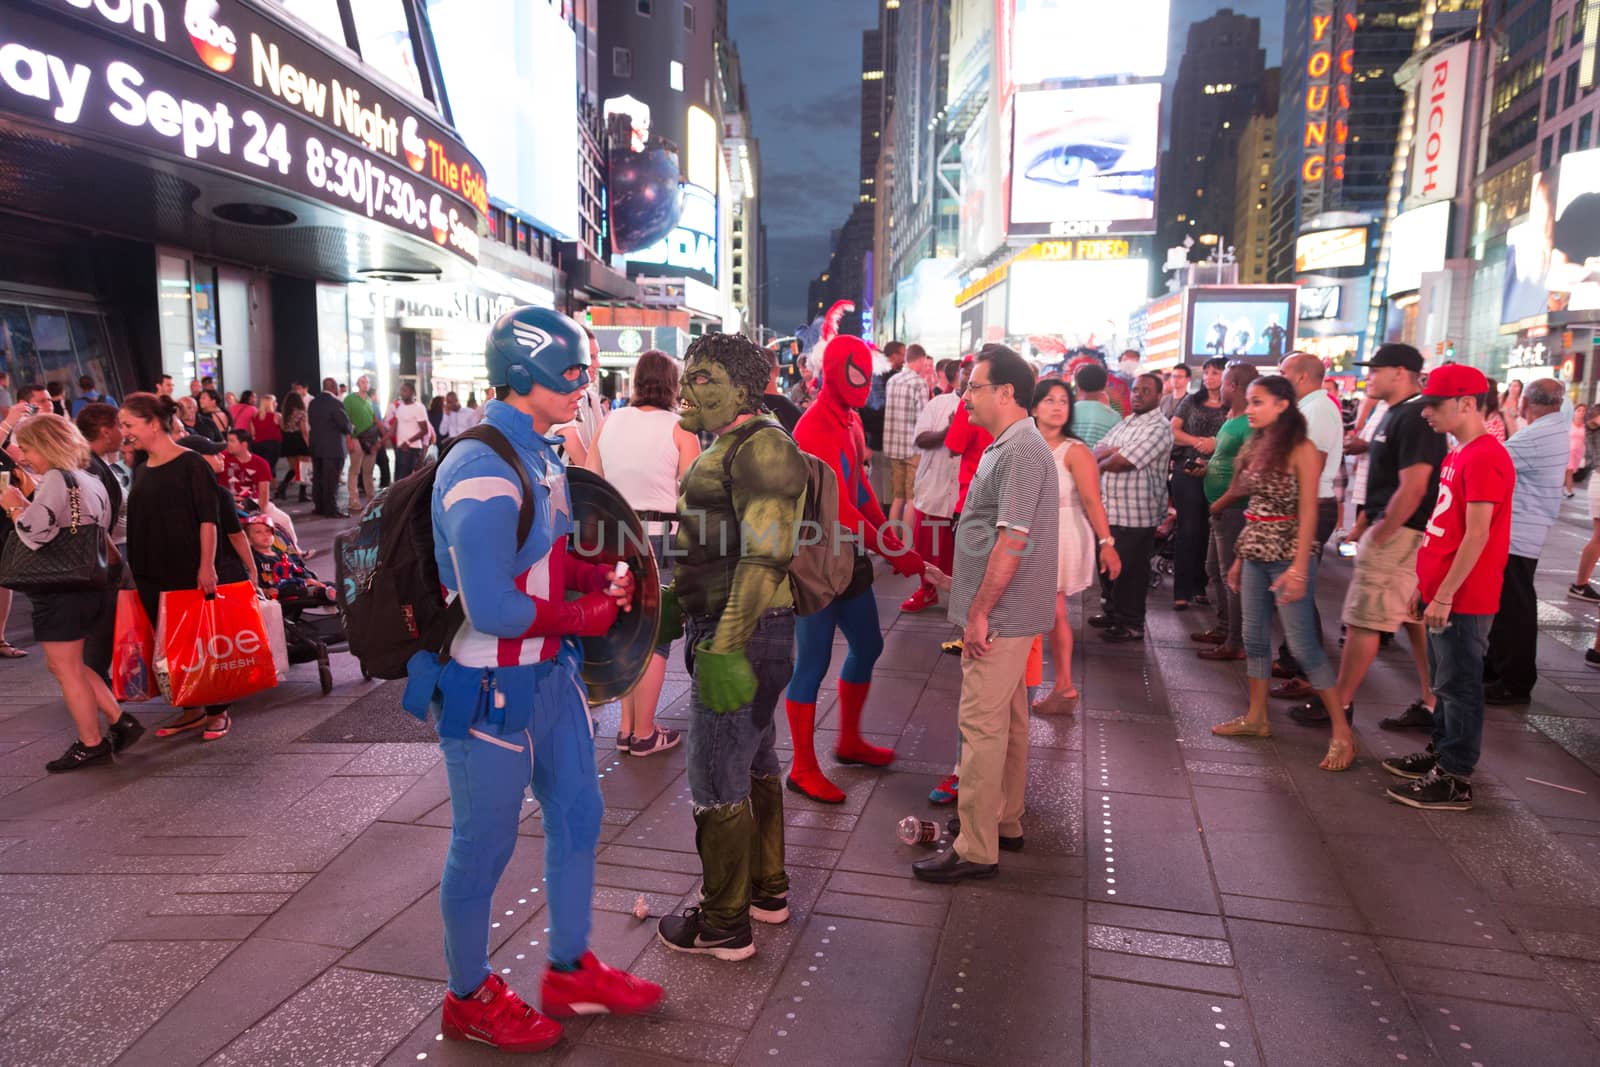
[{"x": 1460, "y": 570}]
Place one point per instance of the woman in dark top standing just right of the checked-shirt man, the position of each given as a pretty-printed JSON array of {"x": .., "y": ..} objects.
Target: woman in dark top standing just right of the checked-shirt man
[{"x": 1196, "y": 423}]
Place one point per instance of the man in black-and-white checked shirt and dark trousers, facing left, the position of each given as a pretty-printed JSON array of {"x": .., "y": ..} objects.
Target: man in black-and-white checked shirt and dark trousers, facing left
[{"x": 1134, "y": 486}]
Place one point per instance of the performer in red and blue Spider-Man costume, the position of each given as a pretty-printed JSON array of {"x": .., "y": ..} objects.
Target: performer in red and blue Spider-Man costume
[{"x": 831, "y": 431}]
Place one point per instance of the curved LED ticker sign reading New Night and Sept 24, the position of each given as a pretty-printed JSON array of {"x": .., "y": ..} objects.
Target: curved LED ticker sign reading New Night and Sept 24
[{"x": 228, "y": 89}]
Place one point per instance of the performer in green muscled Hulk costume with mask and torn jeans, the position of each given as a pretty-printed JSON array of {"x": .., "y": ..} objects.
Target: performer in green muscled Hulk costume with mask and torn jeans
[{"x": 740, "y": 511}]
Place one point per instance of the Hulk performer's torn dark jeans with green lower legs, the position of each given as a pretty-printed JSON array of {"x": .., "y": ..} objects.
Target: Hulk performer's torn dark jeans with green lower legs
[{"x": 735, "y": 778}]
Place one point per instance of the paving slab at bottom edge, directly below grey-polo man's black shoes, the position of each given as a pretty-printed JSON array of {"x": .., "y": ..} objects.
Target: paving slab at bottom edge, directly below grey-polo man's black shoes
[{"x": 1039, "y": 948}]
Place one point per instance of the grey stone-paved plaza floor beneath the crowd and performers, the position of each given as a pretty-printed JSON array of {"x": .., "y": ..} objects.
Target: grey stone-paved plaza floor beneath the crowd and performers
[{"x": 1183, "y": 900}]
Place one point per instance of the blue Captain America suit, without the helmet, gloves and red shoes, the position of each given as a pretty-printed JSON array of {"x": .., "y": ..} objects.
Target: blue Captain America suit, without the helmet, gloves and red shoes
[{"x": 511, "y": 703}]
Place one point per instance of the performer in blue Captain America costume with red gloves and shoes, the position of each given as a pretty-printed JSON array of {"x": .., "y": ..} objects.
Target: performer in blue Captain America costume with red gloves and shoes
[{"x": 510, "y": 700}]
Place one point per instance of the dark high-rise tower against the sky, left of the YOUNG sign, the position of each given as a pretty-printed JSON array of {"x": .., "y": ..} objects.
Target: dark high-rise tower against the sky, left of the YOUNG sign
[{"x": 1218, "y": 89}]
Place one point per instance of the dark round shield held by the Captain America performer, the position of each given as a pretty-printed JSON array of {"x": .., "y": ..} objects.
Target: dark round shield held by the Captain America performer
[{"x": 606, "y": 530}]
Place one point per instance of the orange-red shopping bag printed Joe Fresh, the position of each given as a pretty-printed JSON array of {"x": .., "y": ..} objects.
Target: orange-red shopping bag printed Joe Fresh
[{"x": 217, "y": 649}]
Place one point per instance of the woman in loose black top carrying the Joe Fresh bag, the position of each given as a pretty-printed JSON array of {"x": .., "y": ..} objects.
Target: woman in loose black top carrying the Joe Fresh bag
[{"x": 177, "y": 530}]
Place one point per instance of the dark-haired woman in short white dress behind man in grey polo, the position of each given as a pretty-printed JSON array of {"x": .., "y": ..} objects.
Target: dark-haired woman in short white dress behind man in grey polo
[{"x": 1082, "y": 529}]
